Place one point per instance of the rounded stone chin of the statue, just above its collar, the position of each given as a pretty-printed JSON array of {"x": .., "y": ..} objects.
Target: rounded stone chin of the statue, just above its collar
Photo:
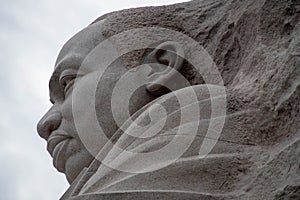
[{"x": 75, "y": 164}]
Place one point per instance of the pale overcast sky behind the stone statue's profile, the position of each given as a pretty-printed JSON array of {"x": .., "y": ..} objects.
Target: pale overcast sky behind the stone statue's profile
[{"x": 32, "y": 33}]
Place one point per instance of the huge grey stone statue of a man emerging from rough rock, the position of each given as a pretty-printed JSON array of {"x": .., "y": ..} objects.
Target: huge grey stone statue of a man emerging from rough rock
[{"x": 198, "y": 100}]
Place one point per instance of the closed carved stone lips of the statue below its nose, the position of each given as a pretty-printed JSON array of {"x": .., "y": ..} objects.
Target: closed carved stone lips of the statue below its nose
[{"x": 57, "y": 145}]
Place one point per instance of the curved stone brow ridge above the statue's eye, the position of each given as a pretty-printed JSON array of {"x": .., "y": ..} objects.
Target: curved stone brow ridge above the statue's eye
[{"x": 69, "y": 62}]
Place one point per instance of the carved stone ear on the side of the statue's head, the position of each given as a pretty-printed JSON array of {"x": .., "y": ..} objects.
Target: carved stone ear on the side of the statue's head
[{"x": 165, "y": 60}]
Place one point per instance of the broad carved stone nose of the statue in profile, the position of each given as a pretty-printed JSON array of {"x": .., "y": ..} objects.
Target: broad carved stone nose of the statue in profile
[{"x": 48, "y": 123}]
